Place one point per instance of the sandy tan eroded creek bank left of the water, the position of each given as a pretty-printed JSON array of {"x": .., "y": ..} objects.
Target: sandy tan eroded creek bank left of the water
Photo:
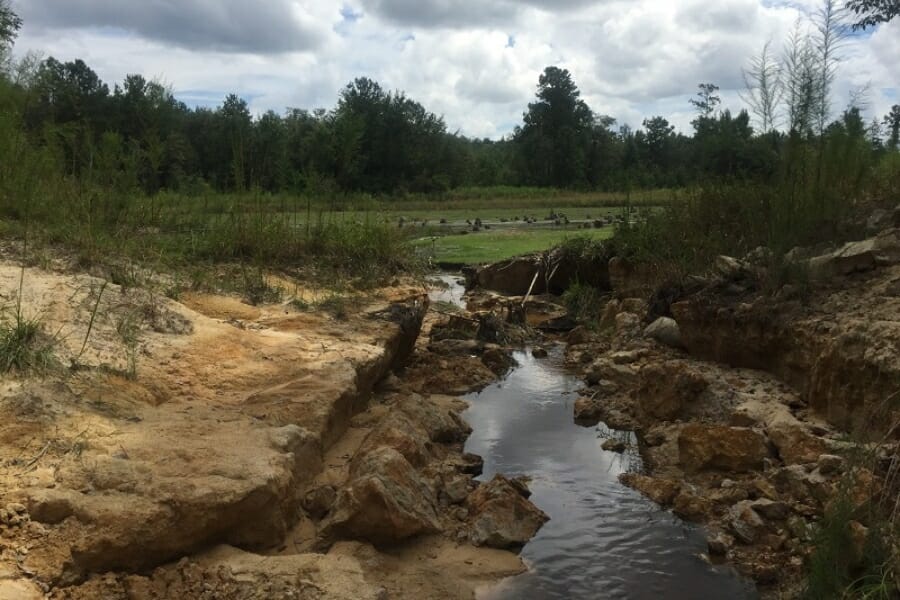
[{"x": 267, "y": 452}]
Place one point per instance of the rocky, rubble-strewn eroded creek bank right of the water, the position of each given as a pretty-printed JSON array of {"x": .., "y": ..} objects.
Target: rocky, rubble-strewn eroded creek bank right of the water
[{"x": 742, "y": 399}]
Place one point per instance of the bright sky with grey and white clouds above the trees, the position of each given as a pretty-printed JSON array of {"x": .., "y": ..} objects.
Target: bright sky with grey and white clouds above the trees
[{"x": 474, "y": 61}]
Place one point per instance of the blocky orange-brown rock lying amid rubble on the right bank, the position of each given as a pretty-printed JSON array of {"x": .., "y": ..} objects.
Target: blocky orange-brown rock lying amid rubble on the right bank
[{"x": 732, "y": 449}]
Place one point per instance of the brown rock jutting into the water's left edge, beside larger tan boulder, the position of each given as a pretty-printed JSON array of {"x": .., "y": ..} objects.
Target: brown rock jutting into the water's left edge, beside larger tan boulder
[{"x": 500, "y": 517}]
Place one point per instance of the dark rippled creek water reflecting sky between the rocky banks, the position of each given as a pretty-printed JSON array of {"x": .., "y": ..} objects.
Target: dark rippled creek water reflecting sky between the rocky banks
[{"x": 603, "y": 540}]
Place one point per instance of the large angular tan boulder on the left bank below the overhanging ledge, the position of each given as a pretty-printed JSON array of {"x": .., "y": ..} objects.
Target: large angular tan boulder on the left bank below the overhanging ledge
[{"x": 385, "y": 501}]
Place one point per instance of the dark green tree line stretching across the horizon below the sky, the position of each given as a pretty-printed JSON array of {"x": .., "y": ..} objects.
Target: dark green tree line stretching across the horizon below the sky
[{"x": 138, "y": 135}]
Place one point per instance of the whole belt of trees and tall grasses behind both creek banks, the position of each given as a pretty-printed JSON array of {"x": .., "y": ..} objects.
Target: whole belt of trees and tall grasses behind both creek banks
[{"x": 130, "y": 170}]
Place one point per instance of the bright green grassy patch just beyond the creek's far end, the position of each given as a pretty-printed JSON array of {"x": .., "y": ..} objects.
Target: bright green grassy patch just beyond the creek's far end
[{"x": 491, "y": 246}]
